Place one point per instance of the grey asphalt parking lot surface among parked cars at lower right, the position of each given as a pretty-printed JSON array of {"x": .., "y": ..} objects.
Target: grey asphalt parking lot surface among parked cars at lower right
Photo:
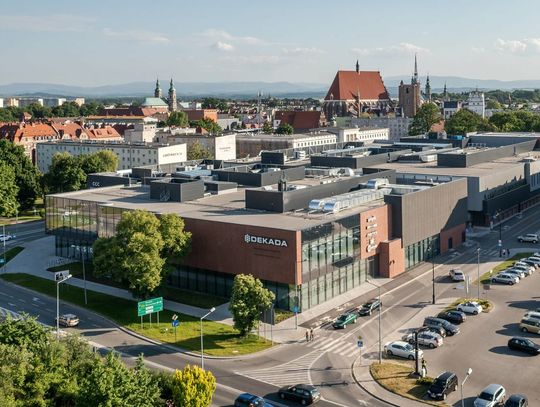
[{"x": 482, "y": 342}]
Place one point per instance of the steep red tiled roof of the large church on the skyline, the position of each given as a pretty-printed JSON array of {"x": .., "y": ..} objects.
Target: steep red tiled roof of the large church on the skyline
[{"x": 347, "y": 84}]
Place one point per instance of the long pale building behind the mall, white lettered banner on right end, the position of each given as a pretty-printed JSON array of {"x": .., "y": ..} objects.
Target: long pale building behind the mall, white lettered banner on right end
[{"x": 129, "y": 155}]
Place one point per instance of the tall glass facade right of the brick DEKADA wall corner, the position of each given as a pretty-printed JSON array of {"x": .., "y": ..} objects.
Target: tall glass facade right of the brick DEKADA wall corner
[{"x": 331, "y": 263}]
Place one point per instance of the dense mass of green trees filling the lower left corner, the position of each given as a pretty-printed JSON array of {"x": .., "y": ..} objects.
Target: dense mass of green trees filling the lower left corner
[{"x": 37, "y": 370}]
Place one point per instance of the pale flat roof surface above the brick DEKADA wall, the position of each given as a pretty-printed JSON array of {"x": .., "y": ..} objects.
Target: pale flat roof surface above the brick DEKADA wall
[{"x": 225, "y": 208}]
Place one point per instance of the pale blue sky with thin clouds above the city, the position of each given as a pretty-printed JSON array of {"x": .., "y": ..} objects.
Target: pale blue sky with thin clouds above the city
[{"x": 91, "y": 43}]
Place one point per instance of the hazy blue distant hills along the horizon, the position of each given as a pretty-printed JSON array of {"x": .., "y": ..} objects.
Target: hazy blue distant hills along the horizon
[{"x": 246, "y": 89}]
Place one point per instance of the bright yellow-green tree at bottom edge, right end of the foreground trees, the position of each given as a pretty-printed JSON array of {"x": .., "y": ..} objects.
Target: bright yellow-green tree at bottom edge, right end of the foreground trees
[{"x": 193, "y": 387}]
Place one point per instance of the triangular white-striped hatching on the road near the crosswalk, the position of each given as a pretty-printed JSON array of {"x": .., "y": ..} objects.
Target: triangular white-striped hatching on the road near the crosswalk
[{"x": 293, "y": 372}]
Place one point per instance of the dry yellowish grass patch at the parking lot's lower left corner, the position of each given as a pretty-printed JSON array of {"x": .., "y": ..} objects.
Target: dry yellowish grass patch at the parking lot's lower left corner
[{"x": 396, "y": 377}]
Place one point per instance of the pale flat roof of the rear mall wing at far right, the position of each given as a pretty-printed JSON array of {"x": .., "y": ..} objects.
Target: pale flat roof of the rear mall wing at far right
[{"x": 478, "y": 170}]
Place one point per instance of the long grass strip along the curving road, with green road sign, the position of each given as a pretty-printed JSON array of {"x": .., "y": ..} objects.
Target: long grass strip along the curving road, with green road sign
[{"x": 219, "y": 339}]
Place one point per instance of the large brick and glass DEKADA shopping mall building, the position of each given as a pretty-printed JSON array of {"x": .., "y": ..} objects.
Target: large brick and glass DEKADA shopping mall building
[{"x": 311, "y": 232}]
